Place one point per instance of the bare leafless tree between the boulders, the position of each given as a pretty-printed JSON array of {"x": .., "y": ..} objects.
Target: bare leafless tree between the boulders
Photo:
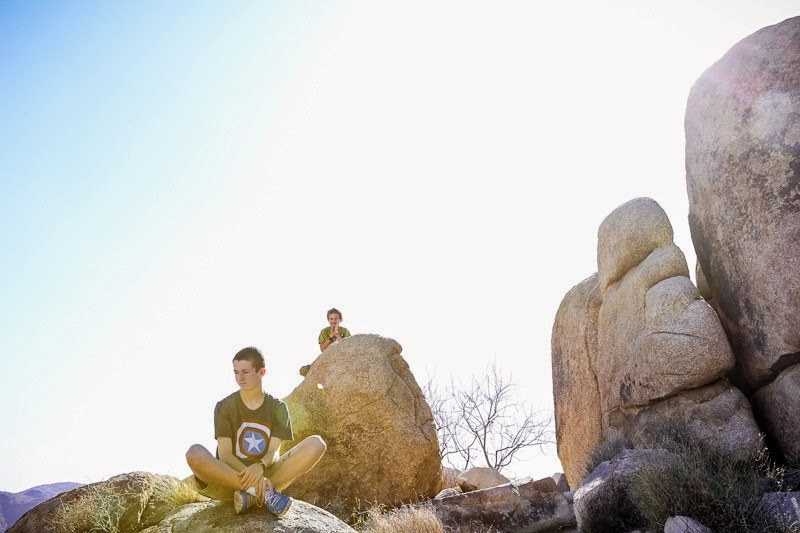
[{"x": 482, "y": 423}]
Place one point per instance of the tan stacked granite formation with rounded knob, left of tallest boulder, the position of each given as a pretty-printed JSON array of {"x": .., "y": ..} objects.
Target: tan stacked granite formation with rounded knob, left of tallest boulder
[{"x": 635, "y": 345}]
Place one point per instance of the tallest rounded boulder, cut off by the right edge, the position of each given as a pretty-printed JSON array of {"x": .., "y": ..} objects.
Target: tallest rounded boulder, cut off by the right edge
[{"x": 742, "y": 131}]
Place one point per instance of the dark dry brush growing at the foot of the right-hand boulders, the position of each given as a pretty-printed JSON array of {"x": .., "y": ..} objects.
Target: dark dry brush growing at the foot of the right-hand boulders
[{"x": 718, "y": 490}]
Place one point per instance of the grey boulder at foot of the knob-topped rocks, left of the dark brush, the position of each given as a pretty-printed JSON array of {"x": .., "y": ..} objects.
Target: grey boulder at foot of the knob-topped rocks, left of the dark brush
[{"x": 603, "y": 502}]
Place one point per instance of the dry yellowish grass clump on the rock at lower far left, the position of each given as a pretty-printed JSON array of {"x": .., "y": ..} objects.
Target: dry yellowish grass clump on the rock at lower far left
[{"x": 96, "y": 510}]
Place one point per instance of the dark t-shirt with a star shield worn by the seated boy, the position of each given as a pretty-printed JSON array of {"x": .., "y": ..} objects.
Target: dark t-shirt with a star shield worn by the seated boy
[{"x": 250, "y": 430}]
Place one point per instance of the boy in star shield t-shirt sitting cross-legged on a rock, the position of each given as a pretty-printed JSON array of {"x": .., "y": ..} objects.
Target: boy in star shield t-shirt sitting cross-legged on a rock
[{"x": 249, "y": 426}]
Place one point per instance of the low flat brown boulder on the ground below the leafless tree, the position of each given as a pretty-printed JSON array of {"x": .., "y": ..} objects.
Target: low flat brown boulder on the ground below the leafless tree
[{"x": 522, "y": 506}]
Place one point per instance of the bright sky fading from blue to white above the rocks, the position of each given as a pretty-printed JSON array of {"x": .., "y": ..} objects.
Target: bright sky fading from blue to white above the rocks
[{"x": 179, "y": 180}]
